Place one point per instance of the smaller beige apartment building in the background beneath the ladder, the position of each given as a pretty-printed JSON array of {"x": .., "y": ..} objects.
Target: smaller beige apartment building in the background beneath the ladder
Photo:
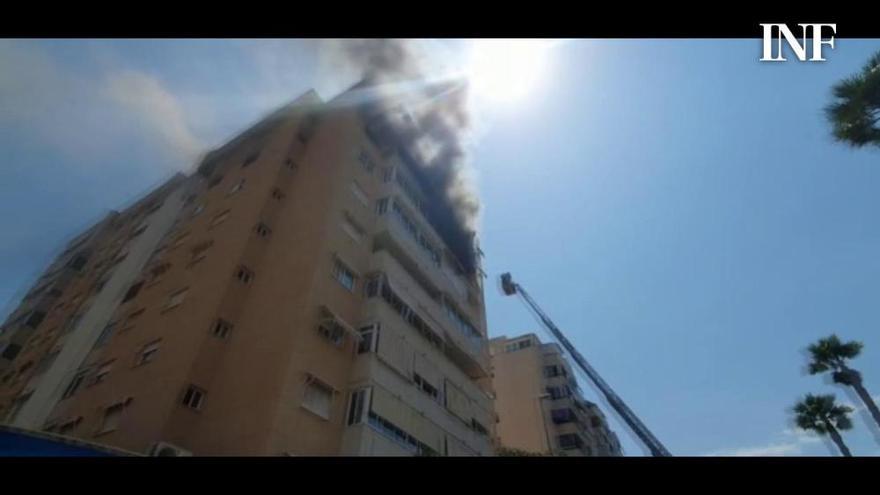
[{"x": 539, "y": 404}]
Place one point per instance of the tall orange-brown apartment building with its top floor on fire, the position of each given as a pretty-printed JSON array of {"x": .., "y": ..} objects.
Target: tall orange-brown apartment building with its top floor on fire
[{"x": 302, "y": 293}]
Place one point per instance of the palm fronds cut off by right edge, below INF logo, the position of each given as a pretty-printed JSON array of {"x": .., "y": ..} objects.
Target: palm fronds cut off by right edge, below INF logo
[{"x": 855, "y": 109}]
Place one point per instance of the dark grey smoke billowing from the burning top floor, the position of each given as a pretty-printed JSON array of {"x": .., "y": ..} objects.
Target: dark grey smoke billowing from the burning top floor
[{"x": 429, "y": 116}]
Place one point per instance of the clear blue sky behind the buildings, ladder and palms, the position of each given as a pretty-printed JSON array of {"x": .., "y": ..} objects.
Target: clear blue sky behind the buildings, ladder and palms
[{"x": 676, "y": 206}]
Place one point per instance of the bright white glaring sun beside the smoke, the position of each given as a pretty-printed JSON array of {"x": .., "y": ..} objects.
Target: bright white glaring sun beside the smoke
[{"x": 506, "y": 69}]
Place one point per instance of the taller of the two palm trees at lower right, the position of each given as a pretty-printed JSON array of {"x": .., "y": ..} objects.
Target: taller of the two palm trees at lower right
[{"x": 830, "y": 354}]
